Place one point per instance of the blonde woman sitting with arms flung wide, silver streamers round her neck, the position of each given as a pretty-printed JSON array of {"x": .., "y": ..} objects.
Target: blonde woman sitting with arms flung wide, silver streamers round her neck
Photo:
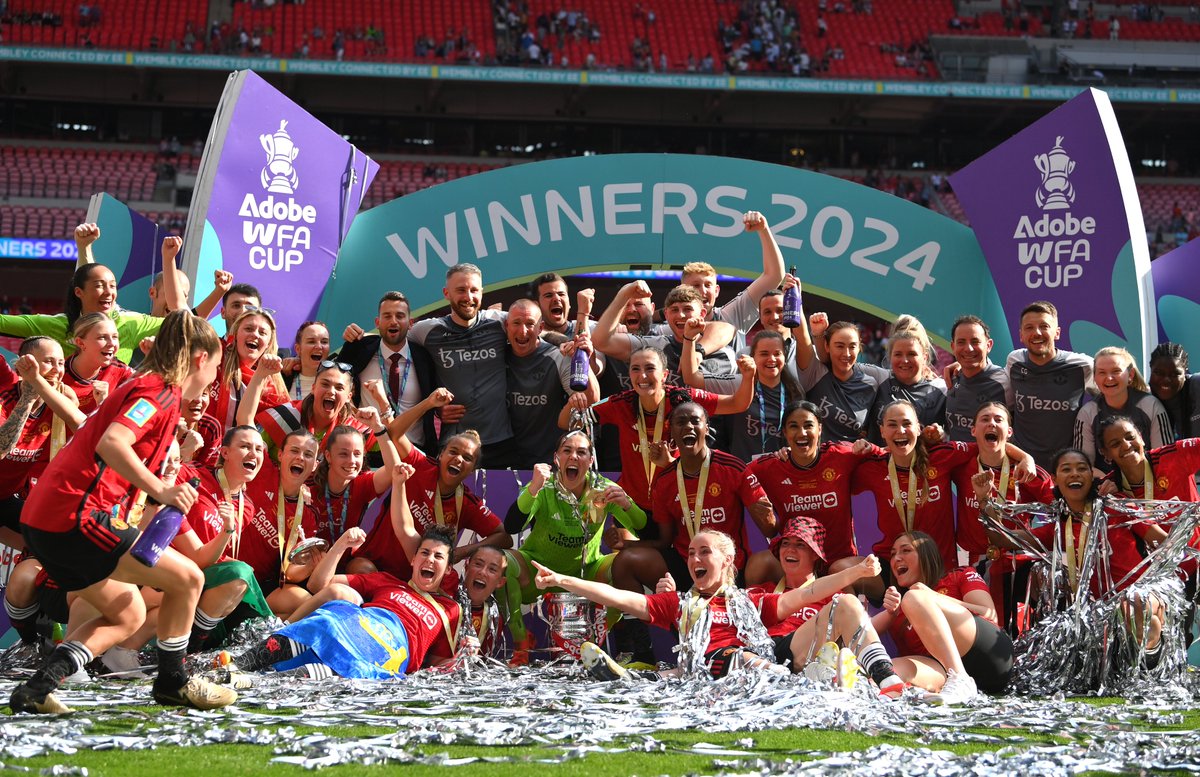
[{"x": 721, "y": 627}]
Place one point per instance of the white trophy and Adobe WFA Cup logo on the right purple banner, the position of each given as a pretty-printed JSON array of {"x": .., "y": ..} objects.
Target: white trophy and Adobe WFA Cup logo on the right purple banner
[{"x": 1054, "y": 248}]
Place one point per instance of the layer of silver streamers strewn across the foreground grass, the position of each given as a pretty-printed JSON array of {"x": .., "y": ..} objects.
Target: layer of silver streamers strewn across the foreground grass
[{"x": 559, "y": 716}]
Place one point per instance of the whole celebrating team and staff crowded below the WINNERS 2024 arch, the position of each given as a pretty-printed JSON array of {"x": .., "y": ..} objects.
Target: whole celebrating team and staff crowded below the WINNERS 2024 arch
[{"x": 331, "y": 487}]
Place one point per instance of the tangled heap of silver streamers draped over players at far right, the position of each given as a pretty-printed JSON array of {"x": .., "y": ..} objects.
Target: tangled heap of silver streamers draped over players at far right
[{"x": 1085, "y": 641}]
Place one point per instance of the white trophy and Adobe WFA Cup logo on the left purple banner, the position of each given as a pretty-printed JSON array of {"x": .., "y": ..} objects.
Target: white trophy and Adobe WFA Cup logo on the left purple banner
[{"x": 275, "y": 230}]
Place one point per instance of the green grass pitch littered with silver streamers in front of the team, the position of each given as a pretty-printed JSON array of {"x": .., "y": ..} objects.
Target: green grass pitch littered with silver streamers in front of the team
[{"x": 581, "y": 728}]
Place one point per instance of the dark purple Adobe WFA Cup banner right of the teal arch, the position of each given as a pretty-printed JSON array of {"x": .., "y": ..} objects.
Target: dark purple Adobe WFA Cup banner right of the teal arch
[{"x": 1057, "y": 214}]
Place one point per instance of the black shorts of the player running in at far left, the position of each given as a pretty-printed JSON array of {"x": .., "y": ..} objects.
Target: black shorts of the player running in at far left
[{"x": 83, "y": 556}]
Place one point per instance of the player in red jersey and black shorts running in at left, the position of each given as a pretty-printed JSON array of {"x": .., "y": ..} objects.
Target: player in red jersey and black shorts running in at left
[{"x": 77, "y": 522}]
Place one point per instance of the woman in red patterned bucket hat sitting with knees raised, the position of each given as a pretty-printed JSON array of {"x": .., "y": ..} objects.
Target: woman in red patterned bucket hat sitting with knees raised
[{"x": 826, "y": 636}]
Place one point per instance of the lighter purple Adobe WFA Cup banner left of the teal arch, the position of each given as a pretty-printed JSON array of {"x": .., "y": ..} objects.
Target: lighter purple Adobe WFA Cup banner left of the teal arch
[{"x": 277, "y": 195}]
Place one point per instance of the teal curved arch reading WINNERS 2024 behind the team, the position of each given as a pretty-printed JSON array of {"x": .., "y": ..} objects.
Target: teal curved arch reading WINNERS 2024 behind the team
[{"x": 850, "y": 243}]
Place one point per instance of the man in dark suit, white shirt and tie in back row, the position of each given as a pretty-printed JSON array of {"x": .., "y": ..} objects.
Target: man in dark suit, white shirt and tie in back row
[{"x": 405, "y": 369}]
